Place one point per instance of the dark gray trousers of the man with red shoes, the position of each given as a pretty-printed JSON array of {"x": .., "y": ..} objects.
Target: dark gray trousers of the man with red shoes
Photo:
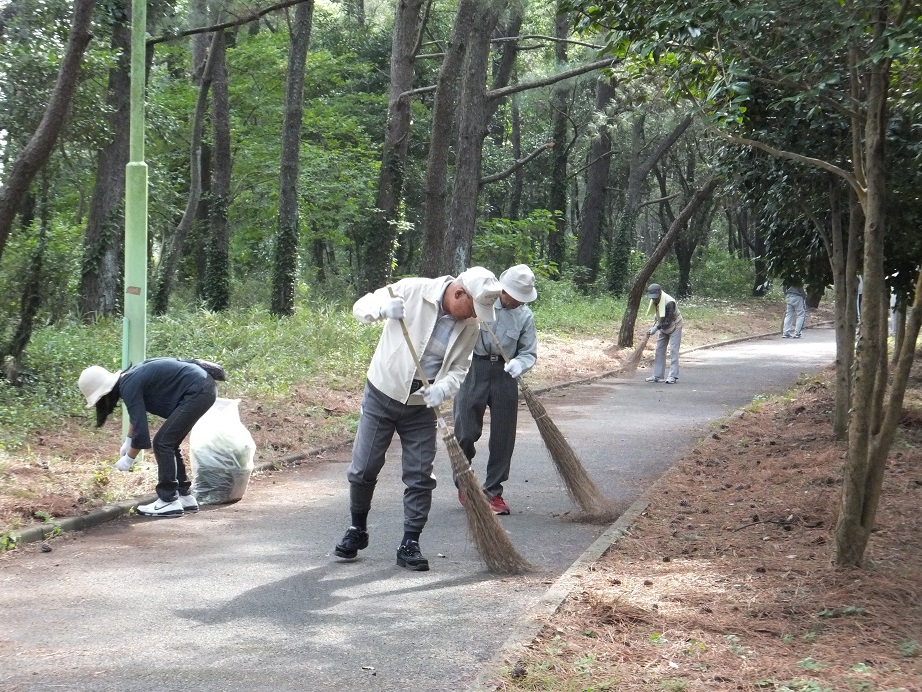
[{"x": 488, "y": 385}]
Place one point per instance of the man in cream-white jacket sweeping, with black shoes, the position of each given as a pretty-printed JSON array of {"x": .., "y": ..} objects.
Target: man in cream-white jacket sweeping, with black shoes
[{"x": 441, "y": 316}]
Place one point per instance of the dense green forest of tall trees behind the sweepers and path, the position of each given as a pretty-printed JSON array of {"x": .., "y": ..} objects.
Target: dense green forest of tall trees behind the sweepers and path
[{"x": 302, "y": 153}]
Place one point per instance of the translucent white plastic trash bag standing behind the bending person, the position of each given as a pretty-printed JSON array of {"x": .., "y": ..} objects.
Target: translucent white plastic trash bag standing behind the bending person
[{"x": 222, "y": 451}]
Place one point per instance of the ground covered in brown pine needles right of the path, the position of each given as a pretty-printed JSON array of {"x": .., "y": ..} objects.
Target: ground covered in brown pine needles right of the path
[{"x": 725, "y": 581}]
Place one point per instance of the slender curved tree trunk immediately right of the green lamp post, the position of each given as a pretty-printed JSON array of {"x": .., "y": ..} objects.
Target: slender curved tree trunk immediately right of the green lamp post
[{"x": 172, "y": 252}]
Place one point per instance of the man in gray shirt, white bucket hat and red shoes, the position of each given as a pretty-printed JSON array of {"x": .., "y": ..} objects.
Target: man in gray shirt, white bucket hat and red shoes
[{"x": 493, "y": 383}]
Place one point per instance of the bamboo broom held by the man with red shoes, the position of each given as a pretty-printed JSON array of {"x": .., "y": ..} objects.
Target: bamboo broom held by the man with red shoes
[{"x": 580, "y": 487}]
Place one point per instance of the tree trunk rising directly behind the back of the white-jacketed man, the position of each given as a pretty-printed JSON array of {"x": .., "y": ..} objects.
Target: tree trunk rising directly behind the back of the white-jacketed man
[{"x": 376, "y": 250}]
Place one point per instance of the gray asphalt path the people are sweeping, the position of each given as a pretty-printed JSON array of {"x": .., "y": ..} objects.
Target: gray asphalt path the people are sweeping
[{"x": 250, "y": 596}]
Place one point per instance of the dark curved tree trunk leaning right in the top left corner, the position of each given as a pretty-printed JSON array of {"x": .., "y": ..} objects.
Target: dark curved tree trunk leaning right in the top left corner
[{"x": 36, "y": 152}]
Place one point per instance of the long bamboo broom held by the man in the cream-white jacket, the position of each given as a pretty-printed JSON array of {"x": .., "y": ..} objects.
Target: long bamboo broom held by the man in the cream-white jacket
[{"x": 491, "y": 539}]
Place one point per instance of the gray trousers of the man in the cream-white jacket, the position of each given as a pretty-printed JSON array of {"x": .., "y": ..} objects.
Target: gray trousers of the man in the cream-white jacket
[{"x": 381, "y": 417}]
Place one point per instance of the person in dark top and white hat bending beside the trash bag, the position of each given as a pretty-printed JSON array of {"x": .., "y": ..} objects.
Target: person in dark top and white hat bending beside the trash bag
[{"x": 176, "y": 390}]
